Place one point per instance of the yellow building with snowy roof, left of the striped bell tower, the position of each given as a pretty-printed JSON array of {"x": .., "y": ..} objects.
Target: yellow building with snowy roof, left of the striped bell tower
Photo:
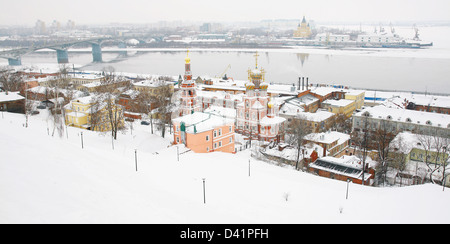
[{"x": 86, "y": 114}]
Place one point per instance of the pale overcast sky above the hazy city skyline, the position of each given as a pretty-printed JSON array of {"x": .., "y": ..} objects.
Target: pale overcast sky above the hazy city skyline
[{"x": 27, "y": 12}]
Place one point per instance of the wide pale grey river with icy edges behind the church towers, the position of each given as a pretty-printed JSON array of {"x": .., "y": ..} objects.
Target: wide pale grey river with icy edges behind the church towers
[{"x": 419, "y": 70}]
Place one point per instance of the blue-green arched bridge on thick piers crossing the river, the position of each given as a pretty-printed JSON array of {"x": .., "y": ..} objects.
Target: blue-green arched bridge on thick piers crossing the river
[{"x": 14, "y": 56}]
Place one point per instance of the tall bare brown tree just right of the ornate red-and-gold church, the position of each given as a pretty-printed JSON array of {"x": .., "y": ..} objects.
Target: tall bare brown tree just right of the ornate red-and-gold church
[{"x": 296, "y": 130}]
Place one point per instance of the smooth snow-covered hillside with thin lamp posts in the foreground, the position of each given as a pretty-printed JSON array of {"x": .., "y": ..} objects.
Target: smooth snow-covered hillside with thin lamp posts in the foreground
[{"x": 45, "y": 179}]
